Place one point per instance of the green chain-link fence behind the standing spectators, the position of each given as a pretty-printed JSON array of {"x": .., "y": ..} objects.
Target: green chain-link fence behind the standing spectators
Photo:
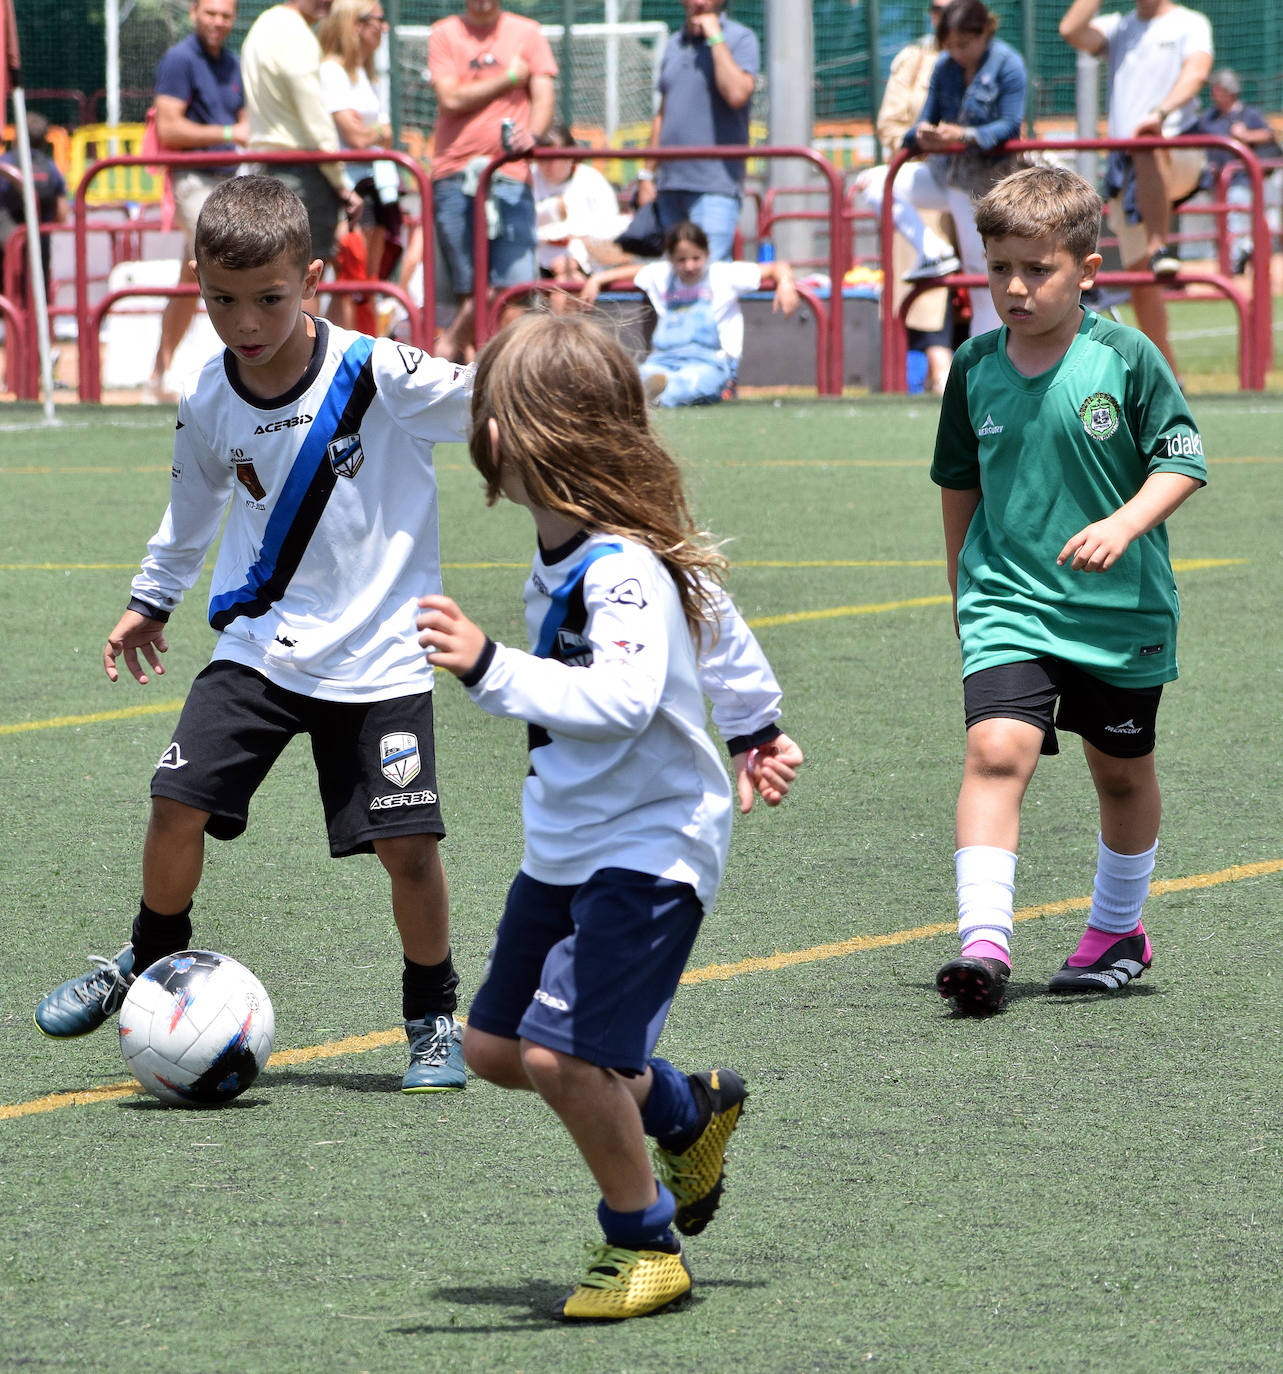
[{"x": 64, "y": 49}]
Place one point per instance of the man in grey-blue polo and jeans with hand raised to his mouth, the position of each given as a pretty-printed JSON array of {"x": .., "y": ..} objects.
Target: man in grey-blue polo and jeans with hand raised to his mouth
[{"x": 707, "y": 83}]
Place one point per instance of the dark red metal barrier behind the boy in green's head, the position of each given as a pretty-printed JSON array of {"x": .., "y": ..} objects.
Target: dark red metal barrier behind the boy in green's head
[{"x": 1256, "y": 333}]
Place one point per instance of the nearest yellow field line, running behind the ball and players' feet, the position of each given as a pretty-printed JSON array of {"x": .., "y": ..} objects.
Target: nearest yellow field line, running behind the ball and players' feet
[{"x": 711, "y": 973}]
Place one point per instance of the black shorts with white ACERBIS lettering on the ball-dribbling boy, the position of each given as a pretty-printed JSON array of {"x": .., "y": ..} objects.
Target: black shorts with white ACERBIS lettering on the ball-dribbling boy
[{"x": 376, "y": 762}]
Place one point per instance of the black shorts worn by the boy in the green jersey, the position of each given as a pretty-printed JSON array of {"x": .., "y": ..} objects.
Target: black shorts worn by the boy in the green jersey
[{"x": 1120, "y": 722}]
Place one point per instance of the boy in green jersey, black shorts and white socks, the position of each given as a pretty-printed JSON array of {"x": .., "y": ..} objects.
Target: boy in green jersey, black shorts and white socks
[{"x": 1064, "y": 446}]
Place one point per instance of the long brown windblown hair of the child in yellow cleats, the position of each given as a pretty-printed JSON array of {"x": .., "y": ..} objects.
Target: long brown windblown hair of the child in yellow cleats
[{"x": 574, "y": 424}]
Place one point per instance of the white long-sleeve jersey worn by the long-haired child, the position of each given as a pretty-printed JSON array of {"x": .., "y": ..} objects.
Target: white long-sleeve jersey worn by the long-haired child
[{"x": 623, "y": 773}]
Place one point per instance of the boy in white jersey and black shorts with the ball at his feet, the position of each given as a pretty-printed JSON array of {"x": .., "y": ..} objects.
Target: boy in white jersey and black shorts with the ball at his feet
[{"x": 318, "y": 444}]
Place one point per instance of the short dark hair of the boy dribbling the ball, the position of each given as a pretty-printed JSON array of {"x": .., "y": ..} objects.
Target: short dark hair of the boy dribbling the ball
[{"x": 249, "y": 222}]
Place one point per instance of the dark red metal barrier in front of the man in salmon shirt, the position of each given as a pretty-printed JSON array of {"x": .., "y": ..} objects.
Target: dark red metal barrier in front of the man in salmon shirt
[{"x": 829, "y": 381}]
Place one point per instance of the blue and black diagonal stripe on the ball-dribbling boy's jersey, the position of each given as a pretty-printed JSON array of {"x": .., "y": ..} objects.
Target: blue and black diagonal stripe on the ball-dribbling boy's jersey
[{"x": 303, "y": 499}]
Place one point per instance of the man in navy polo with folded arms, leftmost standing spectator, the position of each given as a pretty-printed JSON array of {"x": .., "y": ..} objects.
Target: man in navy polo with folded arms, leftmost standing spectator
[{"x": 200, "y": 108}]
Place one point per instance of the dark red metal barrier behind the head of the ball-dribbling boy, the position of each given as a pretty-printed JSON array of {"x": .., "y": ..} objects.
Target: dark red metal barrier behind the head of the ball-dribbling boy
[{"x": 89, "y": 321}]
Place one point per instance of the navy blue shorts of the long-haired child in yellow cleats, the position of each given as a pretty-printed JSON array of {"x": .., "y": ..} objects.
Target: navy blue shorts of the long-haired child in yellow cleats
[{"x": 590, "y": 971}]
